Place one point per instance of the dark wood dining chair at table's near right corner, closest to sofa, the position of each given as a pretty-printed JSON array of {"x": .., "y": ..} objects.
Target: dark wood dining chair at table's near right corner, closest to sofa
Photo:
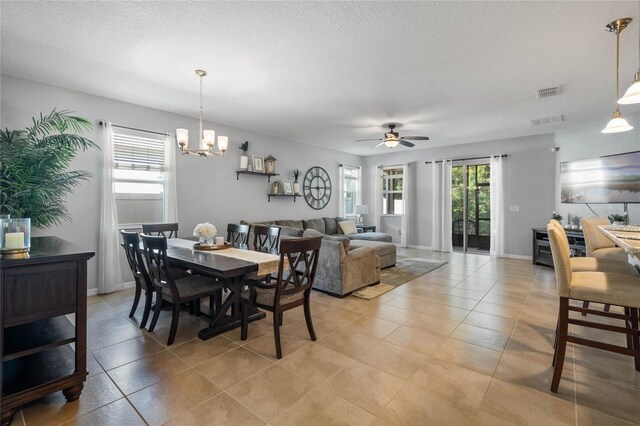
[{"x": 296, "y": 272}]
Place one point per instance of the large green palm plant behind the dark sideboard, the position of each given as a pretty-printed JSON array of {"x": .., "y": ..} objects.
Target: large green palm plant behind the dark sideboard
[{"x": 34, "y": 162}]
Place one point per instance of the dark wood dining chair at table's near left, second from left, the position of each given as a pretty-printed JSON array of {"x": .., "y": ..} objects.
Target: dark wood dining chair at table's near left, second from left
[{"x": 178, "y": 291}]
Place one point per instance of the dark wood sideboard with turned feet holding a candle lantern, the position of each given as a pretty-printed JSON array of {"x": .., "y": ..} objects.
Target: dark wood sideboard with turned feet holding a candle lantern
[{"x": 37, "y": 340}]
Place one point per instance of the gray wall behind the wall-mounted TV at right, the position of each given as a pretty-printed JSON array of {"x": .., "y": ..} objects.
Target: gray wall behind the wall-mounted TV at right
[{"x": 589, "y": 142}]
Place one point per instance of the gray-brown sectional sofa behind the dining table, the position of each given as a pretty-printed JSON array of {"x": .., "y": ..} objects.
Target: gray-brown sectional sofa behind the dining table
[{"x": 347, "y": 262}]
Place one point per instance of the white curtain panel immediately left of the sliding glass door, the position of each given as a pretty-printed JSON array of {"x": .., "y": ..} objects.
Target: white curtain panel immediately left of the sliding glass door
[{"x": 441, "y": 206}]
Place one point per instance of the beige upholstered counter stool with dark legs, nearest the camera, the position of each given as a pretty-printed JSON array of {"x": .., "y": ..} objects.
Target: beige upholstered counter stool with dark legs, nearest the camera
[{"x": 602, "y": 287}]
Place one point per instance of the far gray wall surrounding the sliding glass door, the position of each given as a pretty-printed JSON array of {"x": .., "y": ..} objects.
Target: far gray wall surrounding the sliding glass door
[{"x": 529, "y": 173}]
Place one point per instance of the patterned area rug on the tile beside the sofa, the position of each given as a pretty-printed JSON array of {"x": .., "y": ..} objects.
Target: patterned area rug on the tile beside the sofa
[{"x": 404, "y": 271}]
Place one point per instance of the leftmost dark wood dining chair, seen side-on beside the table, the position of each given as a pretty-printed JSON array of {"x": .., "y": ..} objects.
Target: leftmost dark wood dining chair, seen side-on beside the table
[{"x": 131, "y": 245}]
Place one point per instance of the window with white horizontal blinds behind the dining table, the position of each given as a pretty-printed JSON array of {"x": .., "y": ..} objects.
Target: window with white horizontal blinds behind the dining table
[{"x": 139, "y": 178}]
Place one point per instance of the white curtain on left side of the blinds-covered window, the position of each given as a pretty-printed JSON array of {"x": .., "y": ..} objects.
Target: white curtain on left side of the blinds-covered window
[{"x": 109, "y": 273}]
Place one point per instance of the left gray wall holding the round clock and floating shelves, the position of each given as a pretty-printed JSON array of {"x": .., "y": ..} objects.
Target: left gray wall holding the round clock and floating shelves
[{"x": 207, "y": 188}]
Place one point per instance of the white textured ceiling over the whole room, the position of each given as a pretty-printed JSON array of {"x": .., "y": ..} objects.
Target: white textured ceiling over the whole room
[{"x": 327, "y": 73}]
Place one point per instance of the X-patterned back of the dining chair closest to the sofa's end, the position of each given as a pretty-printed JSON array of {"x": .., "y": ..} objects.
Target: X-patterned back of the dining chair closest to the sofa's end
[{"x": 302, "y": 260}]
